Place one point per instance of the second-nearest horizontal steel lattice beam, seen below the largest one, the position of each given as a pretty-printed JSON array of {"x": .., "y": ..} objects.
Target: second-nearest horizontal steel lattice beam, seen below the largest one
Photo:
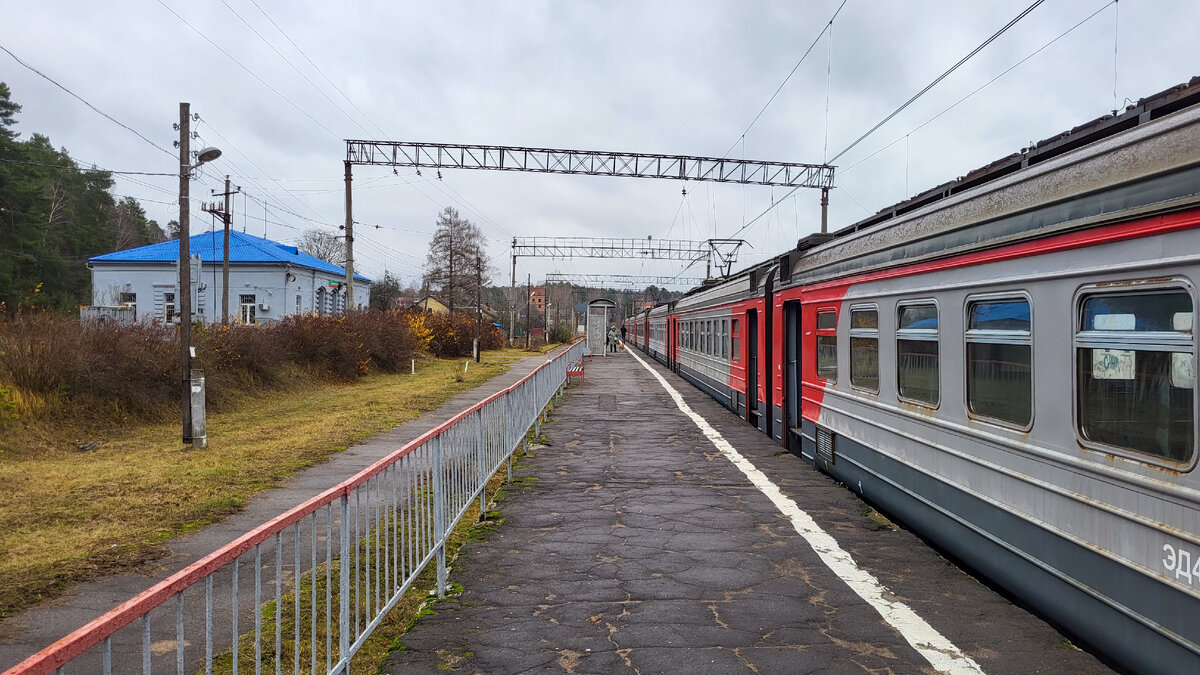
[{"x": 610, "y": 248}]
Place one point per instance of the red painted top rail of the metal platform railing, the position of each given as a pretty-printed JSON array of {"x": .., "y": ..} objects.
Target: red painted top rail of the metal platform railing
[{"x": 94, "y": 632}]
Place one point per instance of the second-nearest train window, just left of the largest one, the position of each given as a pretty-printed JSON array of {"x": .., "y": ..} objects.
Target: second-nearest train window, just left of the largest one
[{"x": 1000, "y": 350}]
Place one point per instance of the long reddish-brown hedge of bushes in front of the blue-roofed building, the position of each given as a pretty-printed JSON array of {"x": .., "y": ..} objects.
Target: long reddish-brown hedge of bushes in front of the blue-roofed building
[{"x": 104, "y": 367}]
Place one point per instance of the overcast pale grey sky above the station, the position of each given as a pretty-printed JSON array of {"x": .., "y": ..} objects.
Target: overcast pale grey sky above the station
[{"x": 649, "y": 77}]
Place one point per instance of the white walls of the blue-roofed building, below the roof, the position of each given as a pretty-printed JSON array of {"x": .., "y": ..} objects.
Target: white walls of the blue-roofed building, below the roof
[{"x": 281, "y": 290}]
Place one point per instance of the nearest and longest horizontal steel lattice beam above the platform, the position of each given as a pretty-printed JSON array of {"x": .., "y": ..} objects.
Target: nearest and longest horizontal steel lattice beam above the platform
[{"x": 587, "y": 163}]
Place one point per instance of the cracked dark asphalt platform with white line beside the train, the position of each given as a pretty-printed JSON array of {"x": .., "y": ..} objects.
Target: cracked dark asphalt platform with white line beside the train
[{"x": 656, "y": 533}]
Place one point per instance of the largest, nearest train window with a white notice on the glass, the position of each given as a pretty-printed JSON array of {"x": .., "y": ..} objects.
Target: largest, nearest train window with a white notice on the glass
[{"x": 1135, "y": 362}]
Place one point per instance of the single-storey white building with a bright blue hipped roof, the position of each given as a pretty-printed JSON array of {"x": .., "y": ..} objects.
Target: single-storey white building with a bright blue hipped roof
[{"x": 268, "y": 282}]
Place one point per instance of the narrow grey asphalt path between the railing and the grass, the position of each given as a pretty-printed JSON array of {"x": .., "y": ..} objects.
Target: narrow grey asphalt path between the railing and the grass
[{"x": 26, "y": 634}]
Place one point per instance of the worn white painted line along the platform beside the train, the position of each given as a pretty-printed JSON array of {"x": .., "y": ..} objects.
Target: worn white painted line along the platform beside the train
[{"x": 925, "y": 638}]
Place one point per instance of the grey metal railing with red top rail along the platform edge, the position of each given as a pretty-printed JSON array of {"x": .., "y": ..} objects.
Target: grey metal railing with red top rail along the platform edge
[{"x": 326, "y": 574}]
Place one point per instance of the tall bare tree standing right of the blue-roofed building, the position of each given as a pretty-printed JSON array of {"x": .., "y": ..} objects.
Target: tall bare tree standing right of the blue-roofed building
[{"x": 457, "y": 261}]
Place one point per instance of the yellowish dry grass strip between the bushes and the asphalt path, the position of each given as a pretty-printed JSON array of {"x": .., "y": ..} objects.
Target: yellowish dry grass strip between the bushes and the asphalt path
[{"x": 69, "y": 516}]
